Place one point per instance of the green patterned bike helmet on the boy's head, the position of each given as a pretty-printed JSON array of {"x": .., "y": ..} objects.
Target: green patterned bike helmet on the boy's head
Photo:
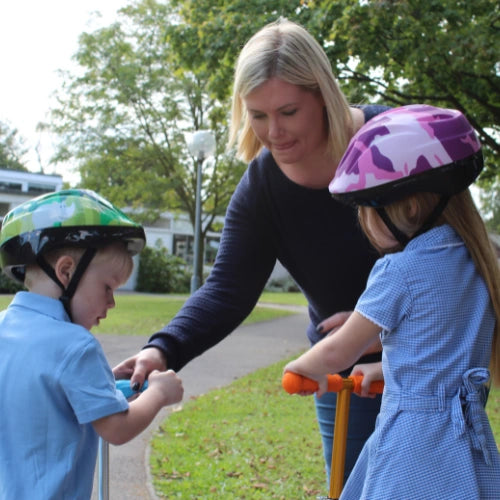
[{"x": 68, "y": 218}]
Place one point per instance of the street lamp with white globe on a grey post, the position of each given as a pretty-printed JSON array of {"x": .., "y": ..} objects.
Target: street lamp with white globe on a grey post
[{"x": 201, "y": 144}]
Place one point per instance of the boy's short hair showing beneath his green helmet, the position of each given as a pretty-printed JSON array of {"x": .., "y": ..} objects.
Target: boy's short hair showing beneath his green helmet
[{"x": 115, "y": 252}]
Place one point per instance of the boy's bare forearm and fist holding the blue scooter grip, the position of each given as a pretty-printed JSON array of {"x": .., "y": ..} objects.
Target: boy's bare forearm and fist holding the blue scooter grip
[{"x": 164, "y": 388}]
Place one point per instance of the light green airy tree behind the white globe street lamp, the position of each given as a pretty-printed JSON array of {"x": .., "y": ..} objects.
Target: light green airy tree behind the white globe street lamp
[{"x": 123, "y": 115}]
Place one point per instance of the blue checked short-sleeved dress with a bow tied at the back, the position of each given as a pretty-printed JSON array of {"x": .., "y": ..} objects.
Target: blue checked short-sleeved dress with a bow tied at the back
[{"x": 432, "y": 439}]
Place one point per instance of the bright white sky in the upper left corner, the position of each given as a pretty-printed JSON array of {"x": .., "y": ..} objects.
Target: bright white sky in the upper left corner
[{"x": 37, "y": 38}]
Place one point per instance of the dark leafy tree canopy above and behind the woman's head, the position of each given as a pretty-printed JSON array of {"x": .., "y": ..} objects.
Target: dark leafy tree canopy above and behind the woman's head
[{"x": 441, "y": 52}]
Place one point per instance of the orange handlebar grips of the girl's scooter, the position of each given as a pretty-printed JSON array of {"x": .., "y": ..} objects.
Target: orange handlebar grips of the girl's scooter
[{"x": 294, "y": 383}]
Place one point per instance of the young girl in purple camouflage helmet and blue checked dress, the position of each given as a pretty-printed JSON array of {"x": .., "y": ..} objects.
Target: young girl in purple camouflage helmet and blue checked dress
[{"x": 434, "y": 301}]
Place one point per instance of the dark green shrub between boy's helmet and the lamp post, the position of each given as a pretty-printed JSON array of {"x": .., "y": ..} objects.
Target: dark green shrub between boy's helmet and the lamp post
[{"x": 160, "y": 272}]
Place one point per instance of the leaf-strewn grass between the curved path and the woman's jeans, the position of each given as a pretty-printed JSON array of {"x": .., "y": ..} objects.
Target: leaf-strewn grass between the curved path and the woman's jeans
[{"x": 250, "y": 440}]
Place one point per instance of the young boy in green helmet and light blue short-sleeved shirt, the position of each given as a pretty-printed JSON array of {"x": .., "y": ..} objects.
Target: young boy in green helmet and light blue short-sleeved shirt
[{"x": 71, "y": 249}]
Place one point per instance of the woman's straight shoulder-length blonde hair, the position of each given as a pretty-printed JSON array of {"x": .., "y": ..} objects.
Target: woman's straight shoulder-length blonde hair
[{"x": 285, "y": 50}]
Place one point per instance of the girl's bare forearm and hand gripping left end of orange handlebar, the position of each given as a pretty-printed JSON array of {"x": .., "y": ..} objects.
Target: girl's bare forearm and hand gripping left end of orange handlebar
[{"x": 336, "y": 352}]
